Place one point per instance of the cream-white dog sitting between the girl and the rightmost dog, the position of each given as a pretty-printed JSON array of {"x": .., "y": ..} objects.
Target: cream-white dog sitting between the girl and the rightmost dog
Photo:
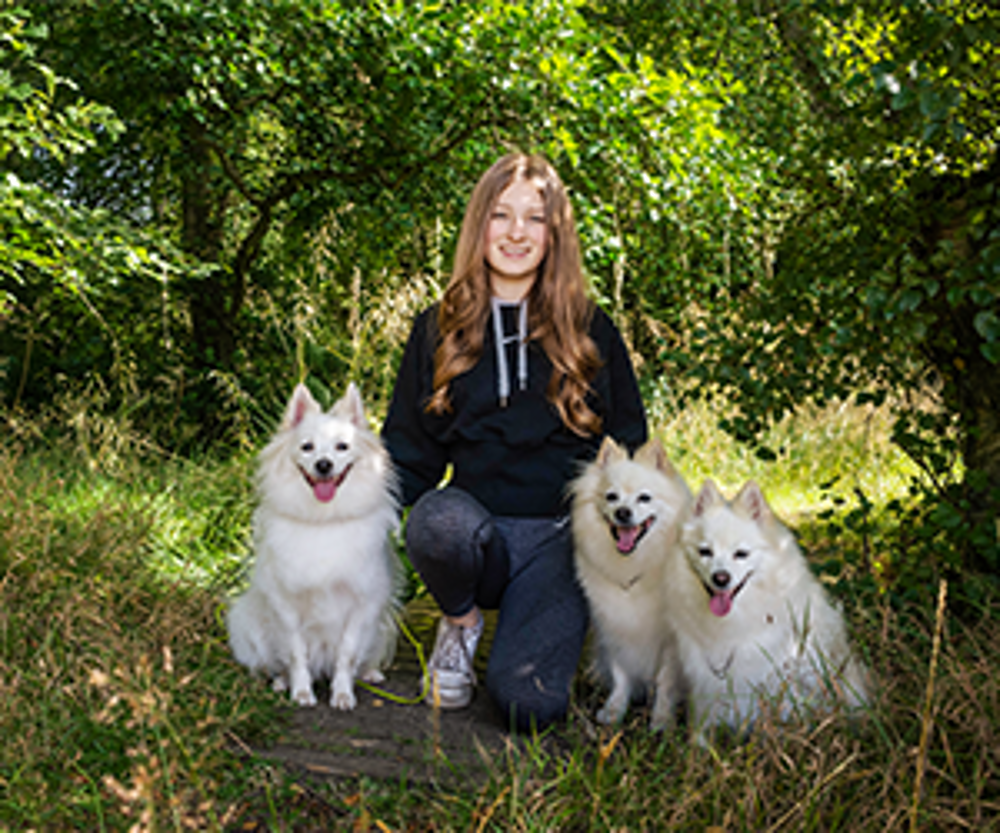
[{"x": 627, "y": 515}]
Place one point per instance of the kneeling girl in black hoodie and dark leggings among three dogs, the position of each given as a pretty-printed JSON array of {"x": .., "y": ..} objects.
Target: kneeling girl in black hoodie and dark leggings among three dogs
[{"x": 513, "y": 379}]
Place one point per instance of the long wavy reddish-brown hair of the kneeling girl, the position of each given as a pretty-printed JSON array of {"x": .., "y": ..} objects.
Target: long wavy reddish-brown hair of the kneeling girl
[{"x": 559, "y": 311}]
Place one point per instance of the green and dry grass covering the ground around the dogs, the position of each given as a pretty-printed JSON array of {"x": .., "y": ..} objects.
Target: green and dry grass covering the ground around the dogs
[{"x": 120, "y": 707}]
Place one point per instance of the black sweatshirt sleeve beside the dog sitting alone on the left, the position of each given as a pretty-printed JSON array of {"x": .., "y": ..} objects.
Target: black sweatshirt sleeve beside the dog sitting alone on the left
[{"x": 419, "y": 458}]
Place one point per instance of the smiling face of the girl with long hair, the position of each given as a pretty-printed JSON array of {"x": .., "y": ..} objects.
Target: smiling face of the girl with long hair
[{"x": 517, "y": 239}]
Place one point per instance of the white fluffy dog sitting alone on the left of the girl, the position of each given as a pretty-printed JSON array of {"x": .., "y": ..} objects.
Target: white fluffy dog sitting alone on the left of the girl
[{"x": 325, "y": 578}]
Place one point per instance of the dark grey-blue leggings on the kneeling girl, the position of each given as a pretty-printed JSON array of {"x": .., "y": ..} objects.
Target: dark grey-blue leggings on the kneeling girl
[{"x": 524, "y": 568}]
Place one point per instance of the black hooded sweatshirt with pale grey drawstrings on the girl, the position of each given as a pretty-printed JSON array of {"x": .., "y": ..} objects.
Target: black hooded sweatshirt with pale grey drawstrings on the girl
[{"x": 515, "y": 460}]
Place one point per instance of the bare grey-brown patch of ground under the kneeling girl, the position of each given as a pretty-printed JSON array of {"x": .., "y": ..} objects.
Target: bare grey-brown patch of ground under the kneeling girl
[{"x": 384, "y": 739}]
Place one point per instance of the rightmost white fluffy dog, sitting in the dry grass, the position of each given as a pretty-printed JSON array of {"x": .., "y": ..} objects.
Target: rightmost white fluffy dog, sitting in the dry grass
[{"x": 755, "y": 628}]
